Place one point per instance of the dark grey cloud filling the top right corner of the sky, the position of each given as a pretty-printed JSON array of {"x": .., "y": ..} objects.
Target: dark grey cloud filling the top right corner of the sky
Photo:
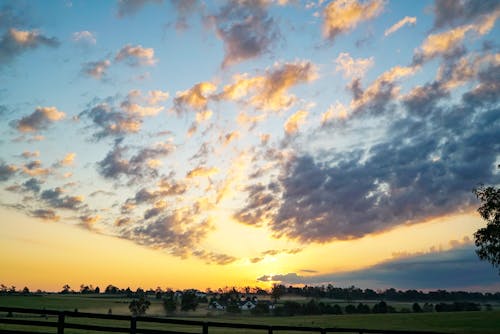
[{"x": 455, "y": 12}]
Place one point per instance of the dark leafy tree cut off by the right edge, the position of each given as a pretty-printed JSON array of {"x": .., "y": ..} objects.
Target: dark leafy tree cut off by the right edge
[{"x": 487, "y": 239}]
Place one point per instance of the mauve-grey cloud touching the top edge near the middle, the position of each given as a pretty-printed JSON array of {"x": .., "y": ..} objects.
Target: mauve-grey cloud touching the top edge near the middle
[{"x": 246, "y": 30}]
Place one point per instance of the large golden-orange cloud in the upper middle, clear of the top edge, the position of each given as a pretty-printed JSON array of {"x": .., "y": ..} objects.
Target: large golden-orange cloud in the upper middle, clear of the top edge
[{"x": 270, "y": 91}]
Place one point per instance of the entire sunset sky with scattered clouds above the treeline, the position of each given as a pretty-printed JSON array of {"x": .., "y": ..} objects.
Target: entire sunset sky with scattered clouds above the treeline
[{"x": 197, "y": 144}]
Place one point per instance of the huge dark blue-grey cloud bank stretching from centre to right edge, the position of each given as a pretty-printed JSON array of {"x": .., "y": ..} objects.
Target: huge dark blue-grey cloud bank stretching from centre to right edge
[{"x": 426, "y": 166}]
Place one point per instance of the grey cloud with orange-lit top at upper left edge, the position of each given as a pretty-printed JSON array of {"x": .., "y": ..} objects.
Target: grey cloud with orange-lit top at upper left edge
[{"x": 15, "y": 42}]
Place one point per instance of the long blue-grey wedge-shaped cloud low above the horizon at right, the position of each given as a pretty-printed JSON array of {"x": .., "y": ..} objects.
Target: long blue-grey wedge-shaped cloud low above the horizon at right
[{"x": 458, "y": 268}]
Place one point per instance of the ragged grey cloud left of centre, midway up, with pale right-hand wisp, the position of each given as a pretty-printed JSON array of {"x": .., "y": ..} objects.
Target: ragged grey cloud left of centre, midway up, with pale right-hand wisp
[{"x": 115, "y": 164}]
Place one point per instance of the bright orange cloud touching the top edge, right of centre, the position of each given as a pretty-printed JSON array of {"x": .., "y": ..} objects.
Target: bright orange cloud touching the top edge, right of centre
[{"x": 341, "y": 16}]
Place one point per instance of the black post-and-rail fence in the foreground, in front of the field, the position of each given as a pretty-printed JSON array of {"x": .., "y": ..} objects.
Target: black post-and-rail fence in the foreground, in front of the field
[{"x": 22, "y": 320}]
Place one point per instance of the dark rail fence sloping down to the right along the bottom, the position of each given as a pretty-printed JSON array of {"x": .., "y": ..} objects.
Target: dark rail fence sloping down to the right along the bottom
[{"x": 132, "y": 324}]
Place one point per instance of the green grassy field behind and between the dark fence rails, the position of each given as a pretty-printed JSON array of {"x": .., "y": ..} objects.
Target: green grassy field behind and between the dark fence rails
[{"x": 459, "y": 322}]
